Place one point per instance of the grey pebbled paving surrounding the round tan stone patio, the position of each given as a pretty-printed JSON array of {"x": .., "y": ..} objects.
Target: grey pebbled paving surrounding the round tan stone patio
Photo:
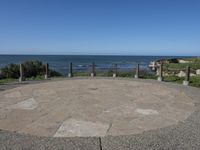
[{"x": 184, "y": 136}]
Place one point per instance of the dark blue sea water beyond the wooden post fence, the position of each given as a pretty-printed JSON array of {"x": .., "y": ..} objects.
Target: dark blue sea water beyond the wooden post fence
[{"x": 60, "y": 63}]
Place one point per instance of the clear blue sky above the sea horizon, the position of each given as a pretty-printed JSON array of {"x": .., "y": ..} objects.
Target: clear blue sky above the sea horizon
[{"x": 127, "y": 27}]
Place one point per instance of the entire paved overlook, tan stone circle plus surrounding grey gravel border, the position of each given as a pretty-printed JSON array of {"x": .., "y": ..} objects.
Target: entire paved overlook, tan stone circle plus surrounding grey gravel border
[{"x": 99, "y": 113}]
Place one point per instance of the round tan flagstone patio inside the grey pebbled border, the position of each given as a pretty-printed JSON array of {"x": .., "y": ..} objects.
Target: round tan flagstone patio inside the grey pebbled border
[{"x": 92, "y": 107}]
